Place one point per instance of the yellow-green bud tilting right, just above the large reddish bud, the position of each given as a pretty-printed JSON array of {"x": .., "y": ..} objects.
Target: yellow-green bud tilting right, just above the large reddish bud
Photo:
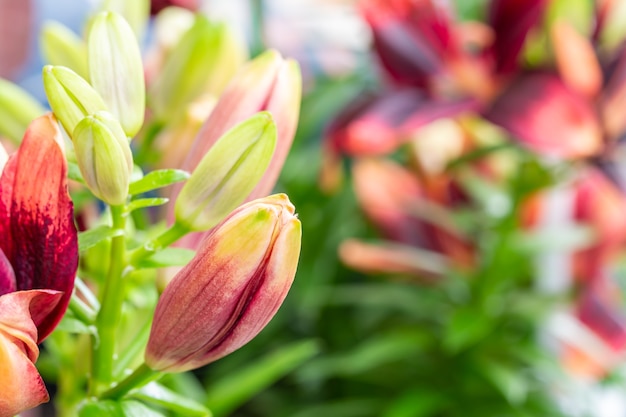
[{"x": 227, "y": 173}]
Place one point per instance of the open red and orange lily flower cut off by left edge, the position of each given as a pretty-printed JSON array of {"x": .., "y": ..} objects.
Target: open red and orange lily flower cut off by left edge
[{"x": 38, "y": 260}]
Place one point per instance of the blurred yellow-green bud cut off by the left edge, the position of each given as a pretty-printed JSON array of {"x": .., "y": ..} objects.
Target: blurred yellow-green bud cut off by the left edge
[{"x": 17, "y": 110}]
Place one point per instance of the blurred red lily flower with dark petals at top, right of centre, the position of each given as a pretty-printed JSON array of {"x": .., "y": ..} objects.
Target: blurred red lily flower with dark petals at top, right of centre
[{"x": 442, "y": 67}]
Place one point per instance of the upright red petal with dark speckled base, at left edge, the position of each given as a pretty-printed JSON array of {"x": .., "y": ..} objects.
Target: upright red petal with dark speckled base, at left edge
[{"x": 37, "y": 230}]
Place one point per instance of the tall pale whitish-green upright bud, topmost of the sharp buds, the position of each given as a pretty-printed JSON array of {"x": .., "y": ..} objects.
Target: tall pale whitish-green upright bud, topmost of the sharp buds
[{"x": 116, "y": 69}]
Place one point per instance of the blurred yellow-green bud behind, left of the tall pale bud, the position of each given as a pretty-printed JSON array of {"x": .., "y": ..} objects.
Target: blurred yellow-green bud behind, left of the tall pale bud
[{"x": 61, "y": 46}]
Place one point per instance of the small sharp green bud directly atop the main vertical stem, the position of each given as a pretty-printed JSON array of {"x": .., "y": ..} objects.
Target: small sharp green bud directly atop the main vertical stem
[{"x": 104, "y": 157}]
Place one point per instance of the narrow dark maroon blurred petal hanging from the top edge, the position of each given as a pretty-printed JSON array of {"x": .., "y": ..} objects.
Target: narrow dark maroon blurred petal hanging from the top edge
[{"x": 511, "y": 21}]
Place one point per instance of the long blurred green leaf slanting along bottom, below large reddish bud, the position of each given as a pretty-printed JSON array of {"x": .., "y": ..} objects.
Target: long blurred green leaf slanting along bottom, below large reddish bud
[{"x": 235, "y": 389}]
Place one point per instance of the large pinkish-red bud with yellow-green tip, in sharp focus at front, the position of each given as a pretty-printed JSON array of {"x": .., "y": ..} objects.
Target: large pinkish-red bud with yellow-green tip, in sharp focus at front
[{"x": 230, "y": 290}]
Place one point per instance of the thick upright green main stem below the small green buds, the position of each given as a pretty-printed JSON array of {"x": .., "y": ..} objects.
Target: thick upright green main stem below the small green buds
[{"x": 110, "y": 313}]
